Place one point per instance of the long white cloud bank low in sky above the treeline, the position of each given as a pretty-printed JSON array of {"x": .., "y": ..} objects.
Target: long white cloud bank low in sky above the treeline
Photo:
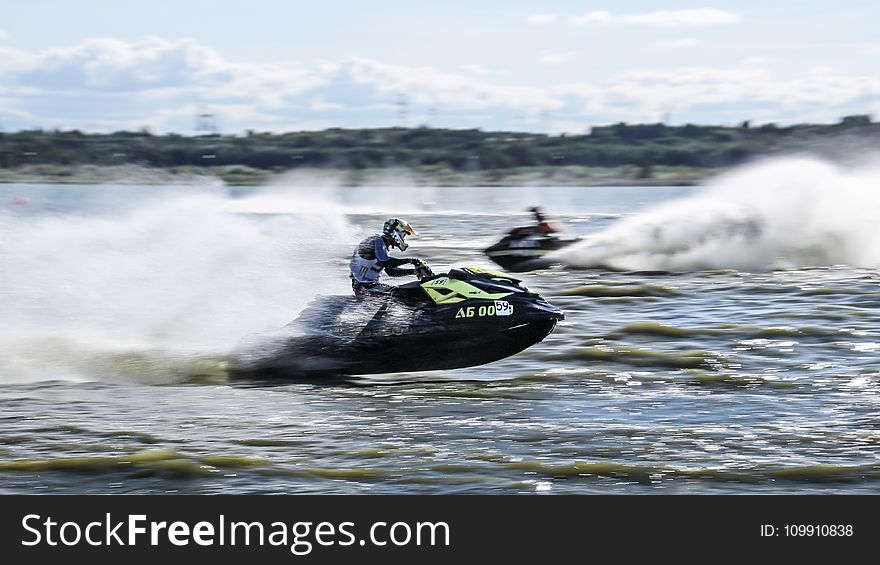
[{"x": 113, "y": 84}]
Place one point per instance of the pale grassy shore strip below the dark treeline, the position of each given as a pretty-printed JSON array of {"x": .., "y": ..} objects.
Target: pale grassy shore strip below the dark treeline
[{"x": 246, "y": 176}]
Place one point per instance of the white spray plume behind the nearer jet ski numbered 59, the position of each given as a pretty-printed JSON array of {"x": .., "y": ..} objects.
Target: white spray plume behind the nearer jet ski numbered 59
[{"x": 191, "y": 274}]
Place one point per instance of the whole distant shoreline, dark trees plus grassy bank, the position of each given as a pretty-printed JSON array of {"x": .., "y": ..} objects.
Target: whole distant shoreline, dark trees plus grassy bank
[{"x": 613, "y": 155}]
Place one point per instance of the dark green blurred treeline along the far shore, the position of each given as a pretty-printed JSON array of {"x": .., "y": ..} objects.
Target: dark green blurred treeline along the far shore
[{"x": 642, "y": 145}]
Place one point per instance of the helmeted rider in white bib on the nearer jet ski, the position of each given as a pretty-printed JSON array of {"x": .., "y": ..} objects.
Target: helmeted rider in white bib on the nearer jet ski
[{"x": 371, "y": 256}]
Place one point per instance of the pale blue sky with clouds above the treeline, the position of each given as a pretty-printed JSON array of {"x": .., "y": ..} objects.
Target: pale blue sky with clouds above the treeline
[{"x": 551, "y": 66}]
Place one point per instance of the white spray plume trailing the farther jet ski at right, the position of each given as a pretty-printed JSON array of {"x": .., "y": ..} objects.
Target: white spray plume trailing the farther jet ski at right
[{"x": 788, "y": 213}]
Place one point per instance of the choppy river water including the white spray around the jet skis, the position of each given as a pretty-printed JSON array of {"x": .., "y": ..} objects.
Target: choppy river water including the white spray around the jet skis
[{"x": 719, "y": 339}]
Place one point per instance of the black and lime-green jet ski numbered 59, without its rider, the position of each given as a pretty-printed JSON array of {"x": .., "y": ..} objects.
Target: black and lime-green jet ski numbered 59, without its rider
[{"x": 465, "y": 317}]
